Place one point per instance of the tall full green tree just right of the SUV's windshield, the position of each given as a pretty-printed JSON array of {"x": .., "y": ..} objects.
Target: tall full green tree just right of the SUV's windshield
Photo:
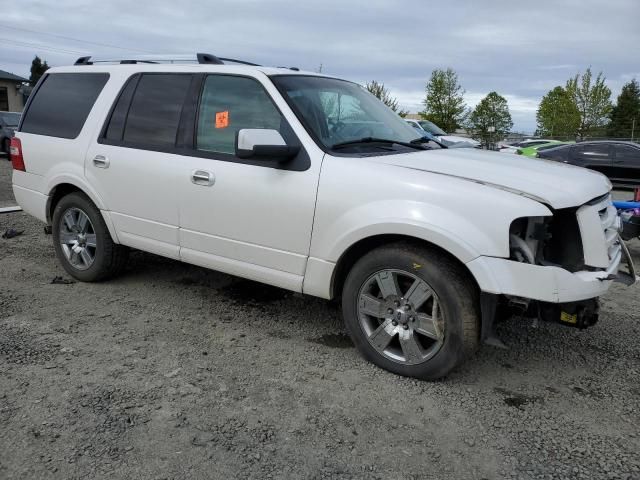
[{"x": 444, "y": 103}]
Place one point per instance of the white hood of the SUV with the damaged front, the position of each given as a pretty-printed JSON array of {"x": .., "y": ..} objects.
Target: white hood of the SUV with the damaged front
[{"x": 556, "y": 184}]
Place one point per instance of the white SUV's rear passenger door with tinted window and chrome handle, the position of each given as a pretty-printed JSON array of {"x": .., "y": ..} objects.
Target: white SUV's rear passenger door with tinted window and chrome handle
[{"x": 134, "y": 163}]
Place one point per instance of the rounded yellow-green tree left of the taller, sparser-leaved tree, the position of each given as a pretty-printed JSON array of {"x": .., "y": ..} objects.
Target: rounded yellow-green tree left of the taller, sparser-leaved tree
[{"x": 558, "y": 115}]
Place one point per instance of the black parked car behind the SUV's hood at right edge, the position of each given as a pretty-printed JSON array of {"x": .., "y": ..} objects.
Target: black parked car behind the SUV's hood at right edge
[{"x": 618, "y": 160}]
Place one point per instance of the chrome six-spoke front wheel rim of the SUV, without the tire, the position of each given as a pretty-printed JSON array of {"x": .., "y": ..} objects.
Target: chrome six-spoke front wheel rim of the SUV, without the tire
[{"x": 401, "y": 317}]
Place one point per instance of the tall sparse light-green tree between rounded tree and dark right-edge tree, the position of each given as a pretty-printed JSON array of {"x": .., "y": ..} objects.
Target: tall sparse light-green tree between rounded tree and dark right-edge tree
[{"x": 593, "y": 100}]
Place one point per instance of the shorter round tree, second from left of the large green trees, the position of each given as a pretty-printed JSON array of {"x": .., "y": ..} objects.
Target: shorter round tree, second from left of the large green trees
[{"x": 490, "y": 121}]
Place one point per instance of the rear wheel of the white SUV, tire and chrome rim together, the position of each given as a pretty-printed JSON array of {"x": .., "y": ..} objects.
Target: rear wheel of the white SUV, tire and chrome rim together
[{"x": 82, "y": 241}]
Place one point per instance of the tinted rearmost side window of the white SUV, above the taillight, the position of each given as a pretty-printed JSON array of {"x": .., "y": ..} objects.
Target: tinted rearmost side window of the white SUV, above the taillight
[{"x": 62, "y": 104}]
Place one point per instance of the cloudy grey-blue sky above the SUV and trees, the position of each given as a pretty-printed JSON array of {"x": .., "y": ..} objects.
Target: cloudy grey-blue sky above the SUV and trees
[{"x": 521, "y": 49}]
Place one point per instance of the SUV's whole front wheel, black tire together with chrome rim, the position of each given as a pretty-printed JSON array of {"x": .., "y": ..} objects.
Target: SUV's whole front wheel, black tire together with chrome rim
[{"x": 411, "y": 310}]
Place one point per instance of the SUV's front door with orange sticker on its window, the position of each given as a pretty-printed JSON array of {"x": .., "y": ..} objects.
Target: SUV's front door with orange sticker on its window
[{"x": 249, "y": 218}]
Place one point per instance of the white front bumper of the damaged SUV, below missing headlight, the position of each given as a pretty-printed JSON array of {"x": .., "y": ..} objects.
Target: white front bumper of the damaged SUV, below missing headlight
[{"x": 549, "y": 283}]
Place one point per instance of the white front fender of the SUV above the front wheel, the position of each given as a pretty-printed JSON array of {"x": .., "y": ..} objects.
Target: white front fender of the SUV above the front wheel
[{"x": 359, "y": 199}]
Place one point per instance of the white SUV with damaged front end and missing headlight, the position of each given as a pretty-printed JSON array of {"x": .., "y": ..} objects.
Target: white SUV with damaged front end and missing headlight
[{"x": 309, "y": 183}]
